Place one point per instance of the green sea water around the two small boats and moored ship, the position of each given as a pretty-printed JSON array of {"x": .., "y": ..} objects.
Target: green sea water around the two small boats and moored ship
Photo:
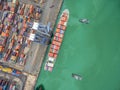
[{"x": 91, "y": 50}]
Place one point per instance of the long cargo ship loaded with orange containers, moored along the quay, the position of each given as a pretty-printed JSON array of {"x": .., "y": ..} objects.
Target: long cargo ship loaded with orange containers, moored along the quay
[{"x": 57, "y": 41}]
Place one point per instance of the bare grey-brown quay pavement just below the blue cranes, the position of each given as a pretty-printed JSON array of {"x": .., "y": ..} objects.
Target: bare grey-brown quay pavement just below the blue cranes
[{"x": 33, "y": 63}]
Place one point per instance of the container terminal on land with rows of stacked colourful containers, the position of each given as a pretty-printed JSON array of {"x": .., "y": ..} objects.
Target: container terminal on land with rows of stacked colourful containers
[{"x": 20, "y": 57}]
